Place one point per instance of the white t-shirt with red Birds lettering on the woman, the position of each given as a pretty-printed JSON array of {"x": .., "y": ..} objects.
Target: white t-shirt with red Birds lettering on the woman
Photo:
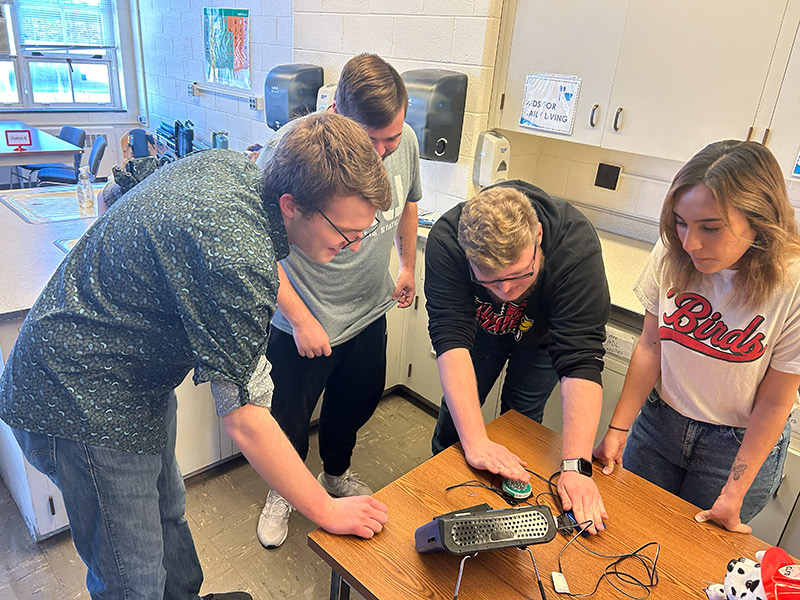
[{"x": 715, "y": 350}]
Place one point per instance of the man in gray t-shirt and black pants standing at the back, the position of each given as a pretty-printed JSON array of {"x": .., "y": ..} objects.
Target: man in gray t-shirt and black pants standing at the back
[{"x": 329, "y": 332}]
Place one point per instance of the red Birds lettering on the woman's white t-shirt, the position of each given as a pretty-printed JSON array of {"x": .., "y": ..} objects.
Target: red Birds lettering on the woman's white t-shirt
[{"x": 697, "y": 326}]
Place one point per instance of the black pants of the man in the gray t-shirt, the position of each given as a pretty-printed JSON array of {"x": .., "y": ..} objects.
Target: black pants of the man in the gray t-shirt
[{"x": 353, "y": 378}]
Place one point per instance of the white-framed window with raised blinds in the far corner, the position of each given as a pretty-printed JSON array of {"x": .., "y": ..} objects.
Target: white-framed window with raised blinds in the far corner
[{"x": 58, "y": 54}]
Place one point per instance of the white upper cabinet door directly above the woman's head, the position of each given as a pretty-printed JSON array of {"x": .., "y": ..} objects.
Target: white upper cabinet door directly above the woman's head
[{"x": 690, "y": 73}]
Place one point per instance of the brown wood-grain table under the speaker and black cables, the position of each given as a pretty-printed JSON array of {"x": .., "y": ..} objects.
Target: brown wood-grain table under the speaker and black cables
[{"x": 388, "y": 566}]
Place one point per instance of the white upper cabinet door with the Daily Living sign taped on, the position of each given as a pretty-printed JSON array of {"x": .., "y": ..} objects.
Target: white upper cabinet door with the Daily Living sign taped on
[{"x": 570, "y": 37}]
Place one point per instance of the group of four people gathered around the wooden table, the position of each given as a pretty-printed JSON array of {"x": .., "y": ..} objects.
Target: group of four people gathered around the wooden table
[{"x": 237, "y": 270}]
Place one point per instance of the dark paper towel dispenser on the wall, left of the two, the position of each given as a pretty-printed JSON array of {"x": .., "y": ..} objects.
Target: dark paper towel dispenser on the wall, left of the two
[{"x": 290, "y": 91}]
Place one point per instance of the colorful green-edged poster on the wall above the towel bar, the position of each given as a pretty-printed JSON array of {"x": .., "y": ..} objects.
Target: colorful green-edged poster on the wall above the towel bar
[{"x": 227, "y": 46}]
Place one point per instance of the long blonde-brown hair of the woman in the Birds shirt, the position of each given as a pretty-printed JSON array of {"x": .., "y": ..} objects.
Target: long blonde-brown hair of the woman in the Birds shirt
[{"x": 744, "y": 176}]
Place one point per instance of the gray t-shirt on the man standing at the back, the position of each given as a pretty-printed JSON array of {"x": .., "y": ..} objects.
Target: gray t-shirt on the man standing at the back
[{"x": 355, "y": 288}]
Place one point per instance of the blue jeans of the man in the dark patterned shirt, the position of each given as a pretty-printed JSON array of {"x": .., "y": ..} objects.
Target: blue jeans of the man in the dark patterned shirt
[{"x": 126, "y": 512}]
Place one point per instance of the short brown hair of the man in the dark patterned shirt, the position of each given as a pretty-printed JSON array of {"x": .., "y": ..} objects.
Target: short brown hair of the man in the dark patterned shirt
[{"x": 325, "y": 155}]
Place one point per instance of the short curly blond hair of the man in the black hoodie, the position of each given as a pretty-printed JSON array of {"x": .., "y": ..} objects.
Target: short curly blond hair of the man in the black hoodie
[{"x": 496, "y": 226}]
